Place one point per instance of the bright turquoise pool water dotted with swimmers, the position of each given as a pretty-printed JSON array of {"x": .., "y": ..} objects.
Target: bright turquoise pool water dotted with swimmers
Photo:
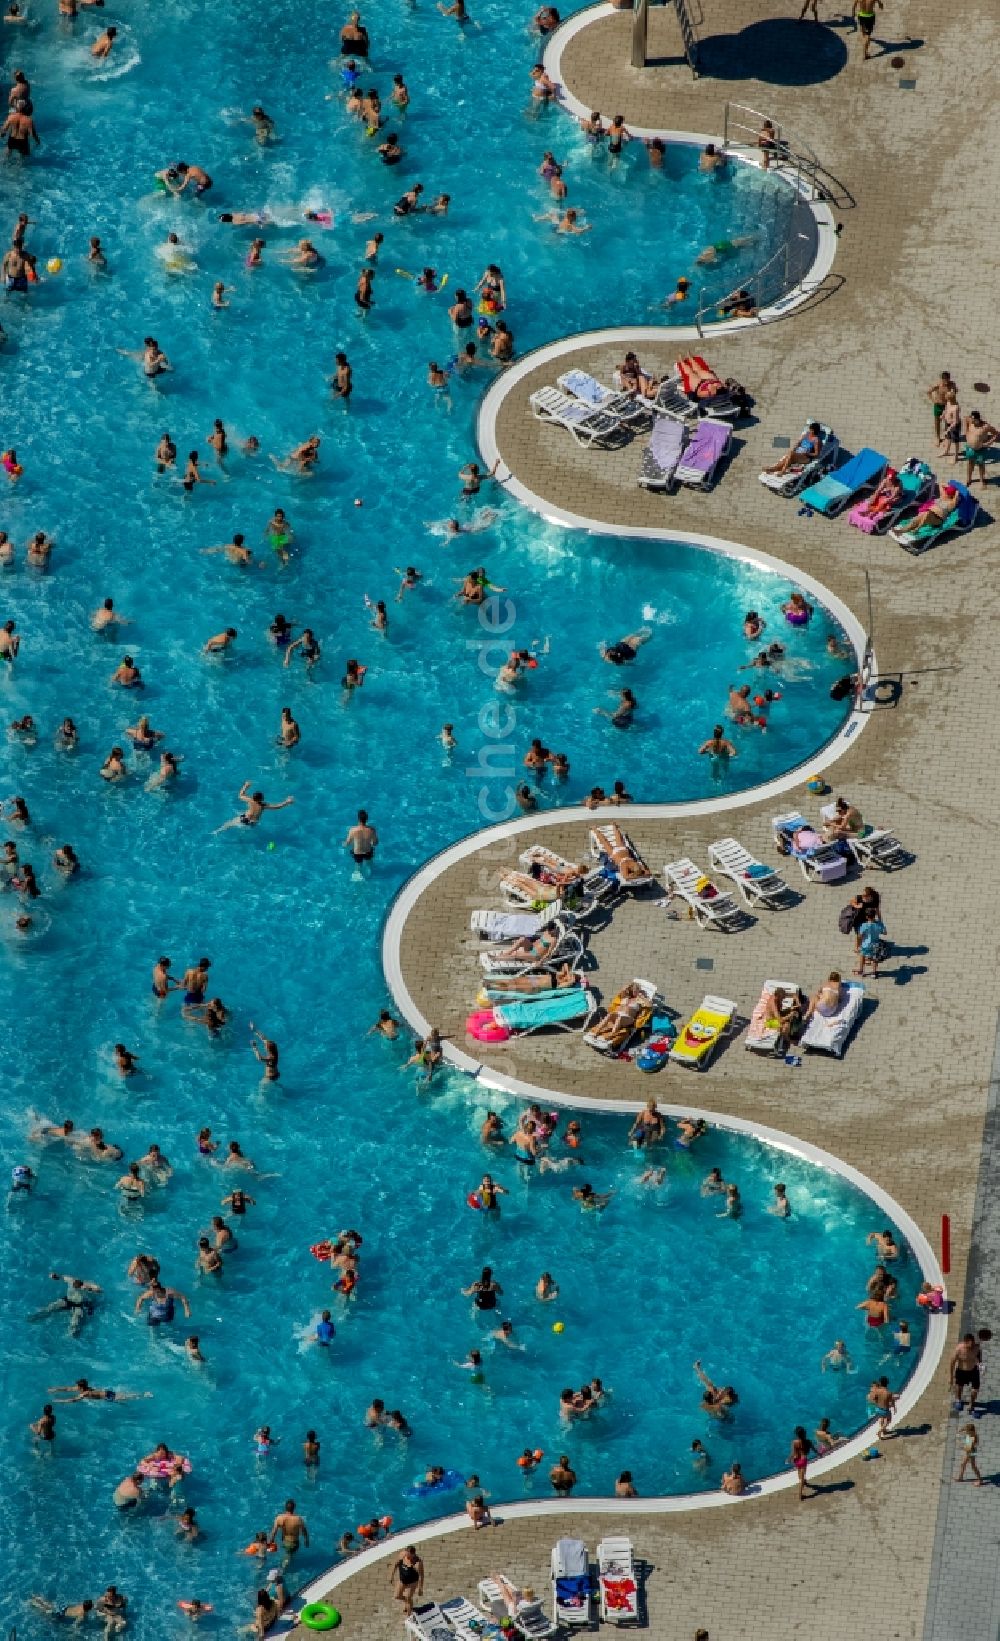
[{"x": 346, "y": 1138}]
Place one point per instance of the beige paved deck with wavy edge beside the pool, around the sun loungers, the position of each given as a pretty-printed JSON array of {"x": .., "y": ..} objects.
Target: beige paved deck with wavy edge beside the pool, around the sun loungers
[{"x": 889, "y": 1552}]
